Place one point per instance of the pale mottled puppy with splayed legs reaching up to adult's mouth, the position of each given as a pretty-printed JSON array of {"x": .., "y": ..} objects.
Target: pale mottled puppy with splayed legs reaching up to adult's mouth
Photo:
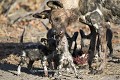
[{"x": 63, "y": 51}]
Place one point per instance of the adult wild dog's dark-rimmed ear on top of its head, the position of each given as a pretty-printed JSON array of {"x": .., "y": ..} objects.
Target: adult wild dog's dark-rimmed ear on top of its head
[{"x": 54, "y": 4}]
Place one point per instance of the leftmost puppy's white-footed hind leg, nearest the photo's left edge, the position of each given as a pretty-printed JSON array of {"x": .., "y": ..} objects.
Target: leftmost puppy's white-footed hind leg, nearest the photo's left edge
[{"x": 22, "y": 62}]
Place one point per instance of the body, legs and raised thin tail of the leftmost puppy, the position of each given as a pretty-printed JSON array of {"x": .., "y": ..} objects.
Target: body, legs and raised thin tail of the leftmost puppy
[{"x": 35, "y": 52}]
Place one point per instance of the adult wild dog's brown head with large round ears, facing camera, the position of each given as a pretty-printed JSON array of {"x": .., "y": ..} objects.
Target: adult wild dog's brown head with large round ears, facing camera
[{"x": 59, "y": 17}]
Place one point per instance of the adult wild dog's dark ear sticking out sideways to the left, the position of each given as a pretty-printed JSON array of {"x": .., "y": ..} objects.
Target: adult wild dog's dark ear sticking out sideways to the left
[{"x": 43, "y": 15}]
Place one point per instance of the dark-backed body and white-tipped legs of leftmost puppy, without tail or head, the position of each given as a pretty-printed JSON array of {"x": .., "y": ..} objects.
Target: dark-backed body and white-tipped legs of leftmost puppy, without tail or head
[{"x": 34, "y": 52}]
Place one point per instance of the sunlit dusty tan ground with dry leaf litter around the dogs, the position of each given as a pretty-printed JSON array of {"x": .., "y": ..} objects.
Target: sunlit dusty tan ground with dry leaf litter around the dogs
[{"x": 10, "y": 33}]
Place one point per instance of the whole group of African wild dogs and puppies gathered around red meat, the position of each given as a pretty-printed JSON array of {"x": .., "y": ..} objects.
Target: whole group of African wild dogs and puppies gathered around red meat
[{"x": 59, "y": 49}]
